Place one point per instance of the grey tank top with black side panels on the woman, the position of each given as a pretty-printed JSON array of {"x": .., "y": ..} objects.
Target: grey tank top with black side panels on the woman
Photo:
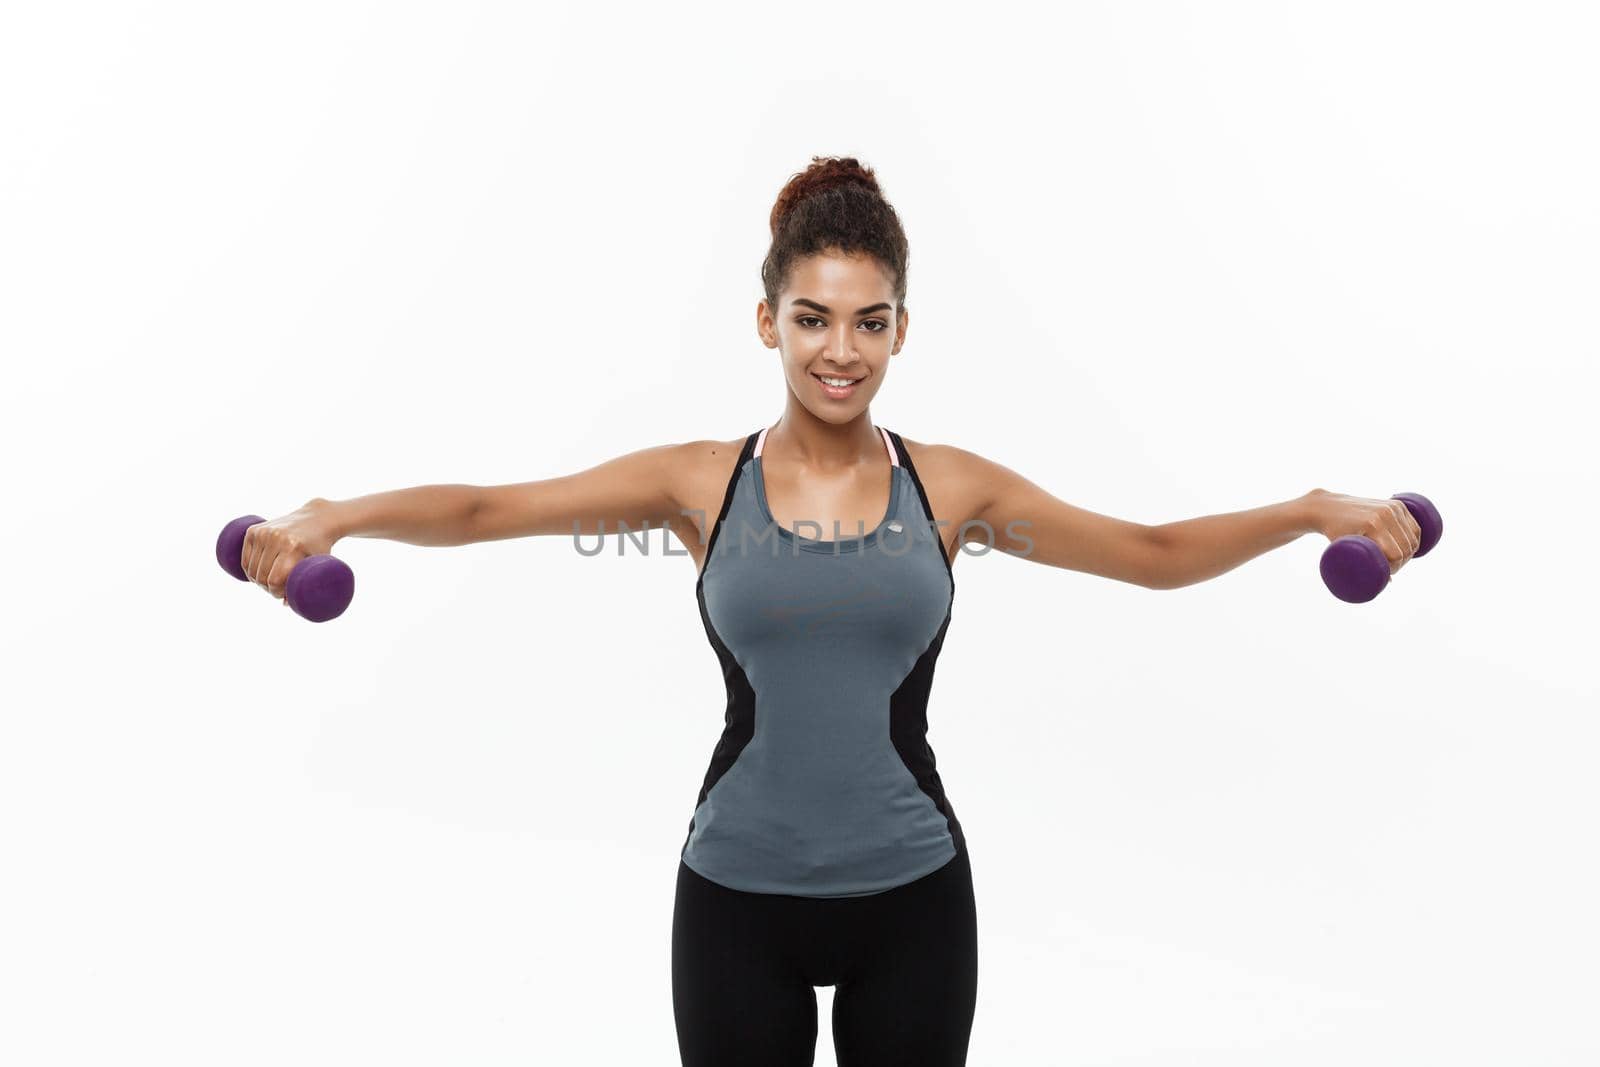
[{"x": 823, "y": 783}]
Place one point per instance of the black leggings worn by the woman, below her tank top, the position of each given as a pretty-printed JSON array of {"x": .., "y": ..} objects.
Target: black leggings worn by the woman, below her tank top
[{"x": 905, "y": 964}]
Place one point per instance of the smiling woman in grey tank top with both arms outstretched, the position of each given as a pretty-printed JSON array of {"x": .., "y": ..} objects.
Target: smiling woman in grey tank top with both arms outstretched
[{"x": 823, "y": 849}]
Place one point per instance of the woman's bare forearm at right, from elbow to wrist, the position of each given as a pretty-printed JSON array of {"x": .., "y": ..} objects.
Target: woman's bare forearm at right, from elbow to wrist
[{"x": 1199, "y": 549}]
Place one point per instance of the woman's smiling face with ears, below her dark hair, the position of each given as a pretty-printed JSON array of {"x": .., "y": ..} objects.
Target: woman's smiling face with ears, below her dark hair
[{"x": 836, "y": 321}]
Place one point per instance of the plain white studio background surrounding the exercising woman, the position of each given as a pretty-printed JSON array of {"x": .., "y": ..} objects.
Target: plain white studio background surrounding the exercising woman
[{"x": 1167, "y": 262}]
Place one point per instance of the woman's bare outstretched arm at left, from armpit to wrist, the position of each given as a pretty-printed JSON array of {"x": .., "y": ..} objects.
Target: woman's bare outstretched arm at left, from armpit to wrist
[{"x": 631, "y": 489}]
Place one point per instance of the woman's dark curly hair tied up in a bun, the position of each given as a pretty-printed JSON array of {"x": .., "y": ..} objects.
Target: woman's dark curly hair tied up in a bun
[{"x": 834, "y": 206}]
